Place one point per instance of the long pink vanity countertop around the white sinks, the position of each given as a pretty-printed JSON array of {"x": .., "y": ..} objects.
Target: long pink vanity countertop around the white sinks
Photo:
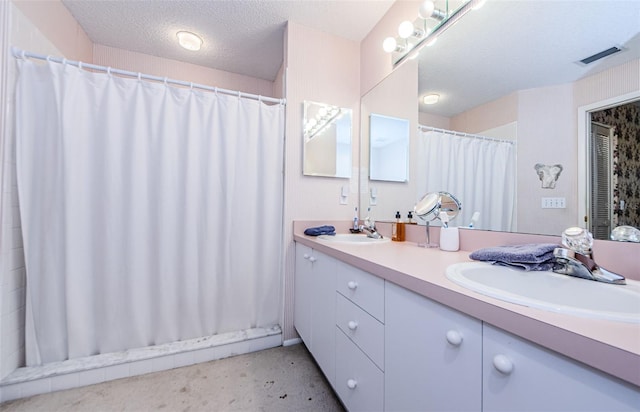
[{"x": 613, "y": 347}]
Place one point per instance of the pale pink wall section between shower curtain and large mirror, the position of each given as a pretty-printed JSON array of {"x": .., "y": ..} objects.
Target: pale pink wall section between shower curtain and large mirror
[{"x": 322, "y": 68}]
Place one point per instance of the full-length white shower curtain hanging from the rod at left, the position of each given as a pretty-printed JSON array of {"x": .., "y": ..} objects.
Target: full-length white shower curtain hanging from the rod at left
[{"x": 150, "y": 213}]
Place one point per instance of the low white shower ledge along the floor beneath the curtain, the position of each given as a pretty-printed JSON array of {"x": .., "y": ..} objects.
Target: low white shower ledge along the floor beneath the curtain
[{"x": 28, "y": 381}]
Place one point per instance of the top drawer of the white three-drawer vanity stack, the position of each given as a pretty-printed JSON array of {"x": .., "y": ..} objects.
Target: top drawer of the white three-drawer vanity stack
[{"x": 362, "y": 288}]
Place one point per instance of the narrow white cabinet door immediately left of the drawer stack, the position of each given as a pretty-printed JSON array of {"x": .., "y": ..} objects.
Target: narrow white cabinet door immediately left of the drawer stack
[{"x": 323, "y": 313}]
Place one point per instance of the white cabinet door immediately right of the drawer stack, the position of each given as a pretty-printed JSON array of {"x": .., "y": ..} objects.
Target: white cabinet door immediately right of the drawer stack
[{"x": 432, "y": 355}]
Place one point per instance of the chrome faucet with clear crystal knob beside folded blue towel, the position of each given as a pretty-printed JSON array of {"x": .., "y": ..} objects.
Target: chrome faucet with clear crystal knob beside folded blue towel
[{"x": 577, "y": 260}]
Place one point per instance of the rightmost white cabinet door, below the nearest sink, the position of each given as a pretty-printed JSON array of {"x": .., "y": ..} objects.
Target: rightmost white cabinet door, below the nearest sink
[{"x": 521, "y": 376}]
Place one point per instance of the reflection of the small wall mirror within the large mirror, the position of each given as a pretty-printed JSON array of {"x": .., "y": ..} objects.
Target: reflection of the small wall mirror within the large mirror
[{"x": 388, "y": 148}]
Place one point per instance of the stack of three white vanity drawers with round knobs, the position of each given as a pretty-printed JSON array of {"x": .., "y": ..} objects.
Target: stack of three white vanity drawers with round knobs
[{"x": 359, "y": 339}]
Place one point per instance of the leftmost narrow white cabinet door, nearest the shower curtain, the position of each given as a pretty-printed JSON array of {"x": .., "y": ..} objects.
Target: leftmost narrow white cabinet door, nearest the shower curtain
[{"x": 303, "y": 292}]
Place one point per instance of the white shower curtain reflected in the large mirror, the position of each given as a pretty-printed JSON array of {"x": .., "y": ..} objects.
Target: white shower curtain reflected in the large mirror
[{"x": 479, "y": 172}]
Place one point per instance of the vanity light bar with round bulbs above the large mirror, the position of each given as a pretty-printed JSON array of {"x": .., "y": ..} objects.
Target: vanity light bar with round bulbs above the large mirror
[{"x": 412, "y": 36}]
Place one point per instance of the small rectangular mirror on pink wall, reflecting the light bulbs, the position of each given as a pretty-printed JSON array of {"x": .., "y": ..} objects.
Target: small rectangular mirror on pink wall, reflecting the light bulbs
[{"x": 327, "y": 140}]
